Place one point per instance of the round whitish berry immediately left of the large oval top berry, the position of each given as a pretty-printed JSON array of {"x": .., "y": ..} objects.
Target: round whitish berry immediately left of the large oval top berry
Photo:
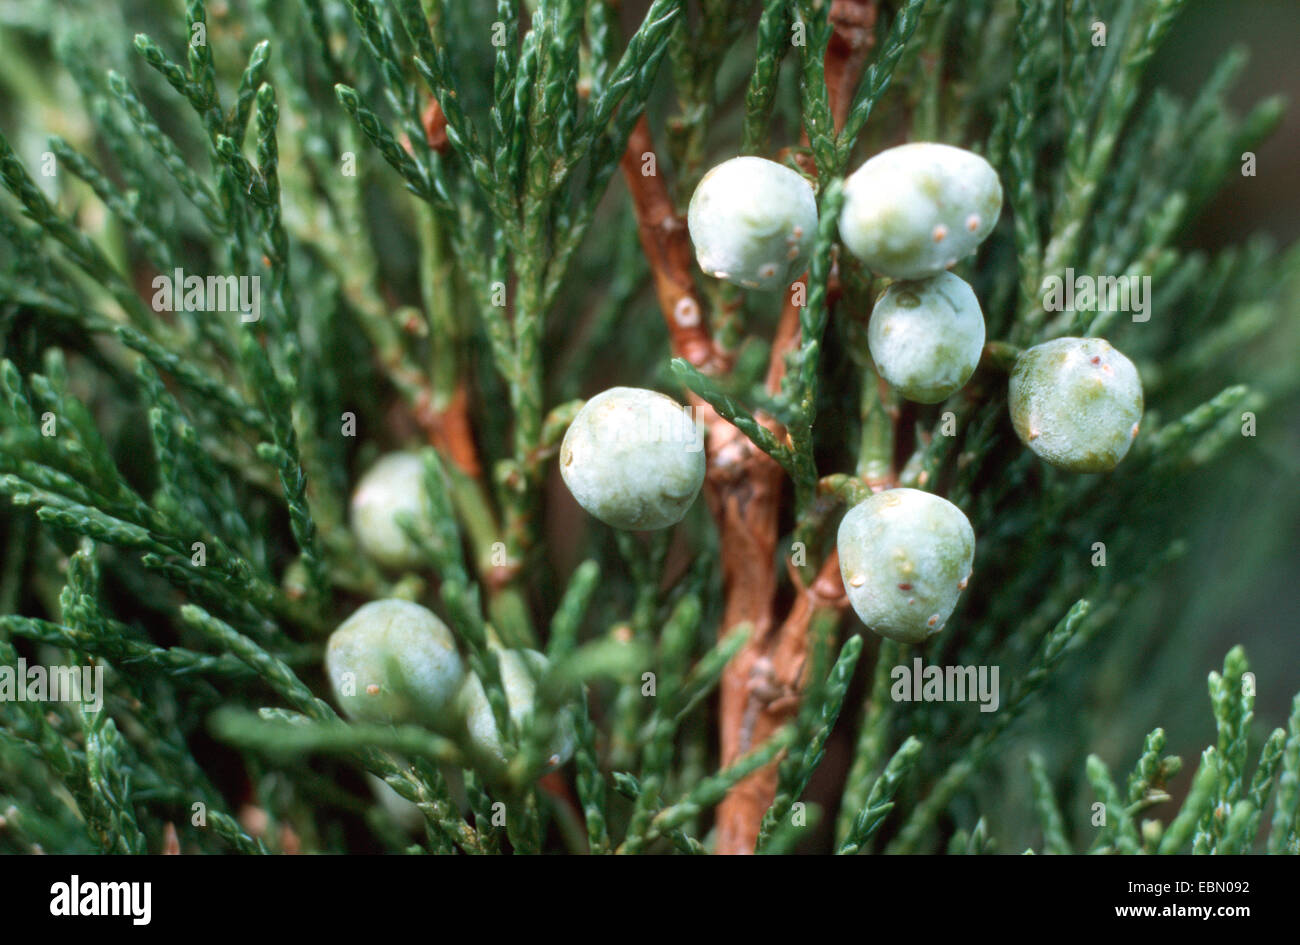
[{"x": 753, "y": 223}]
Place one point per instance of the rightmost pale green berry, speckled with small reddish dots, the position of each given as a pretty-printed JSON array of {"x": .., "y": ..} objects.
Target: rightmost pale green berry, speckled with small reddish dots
[{"x": 1077, "y": 404}]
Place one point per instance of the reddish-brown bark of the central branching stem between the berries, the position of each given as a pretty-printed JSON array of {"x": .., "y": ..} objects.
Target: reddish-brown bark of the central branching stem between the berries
[{"x": 761, "y": 687}]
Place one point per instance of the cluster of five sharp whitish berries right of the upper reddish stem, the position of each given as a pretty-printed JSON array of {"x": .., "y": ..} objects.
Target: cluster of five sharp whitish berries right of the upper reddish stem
[{"x": 911, "y": 214}]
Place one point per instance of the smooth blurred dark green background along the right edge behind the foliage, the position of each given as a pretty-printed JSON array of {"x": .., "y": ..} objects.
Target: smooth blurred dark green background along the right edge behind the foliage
[{"x": 1240, "y": 580}]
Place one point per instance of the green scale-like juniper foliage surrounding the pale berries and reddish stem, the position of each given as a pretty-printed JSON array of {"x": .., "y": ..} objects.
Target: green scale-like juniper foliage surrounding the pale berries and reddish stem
[{"x": 180, "y": 480}]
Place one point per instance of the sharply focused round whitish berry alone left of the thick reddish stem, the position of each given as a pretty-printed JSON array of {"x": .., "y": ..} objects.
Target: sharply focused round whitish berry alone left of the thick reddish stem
[{"x": 634, "y": 458}]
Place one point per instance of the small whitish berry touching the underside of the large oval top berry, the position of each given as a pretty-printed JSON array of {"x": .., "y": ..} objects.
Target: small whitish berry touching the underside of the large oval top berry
[{"x": 926, "y": 337}]
